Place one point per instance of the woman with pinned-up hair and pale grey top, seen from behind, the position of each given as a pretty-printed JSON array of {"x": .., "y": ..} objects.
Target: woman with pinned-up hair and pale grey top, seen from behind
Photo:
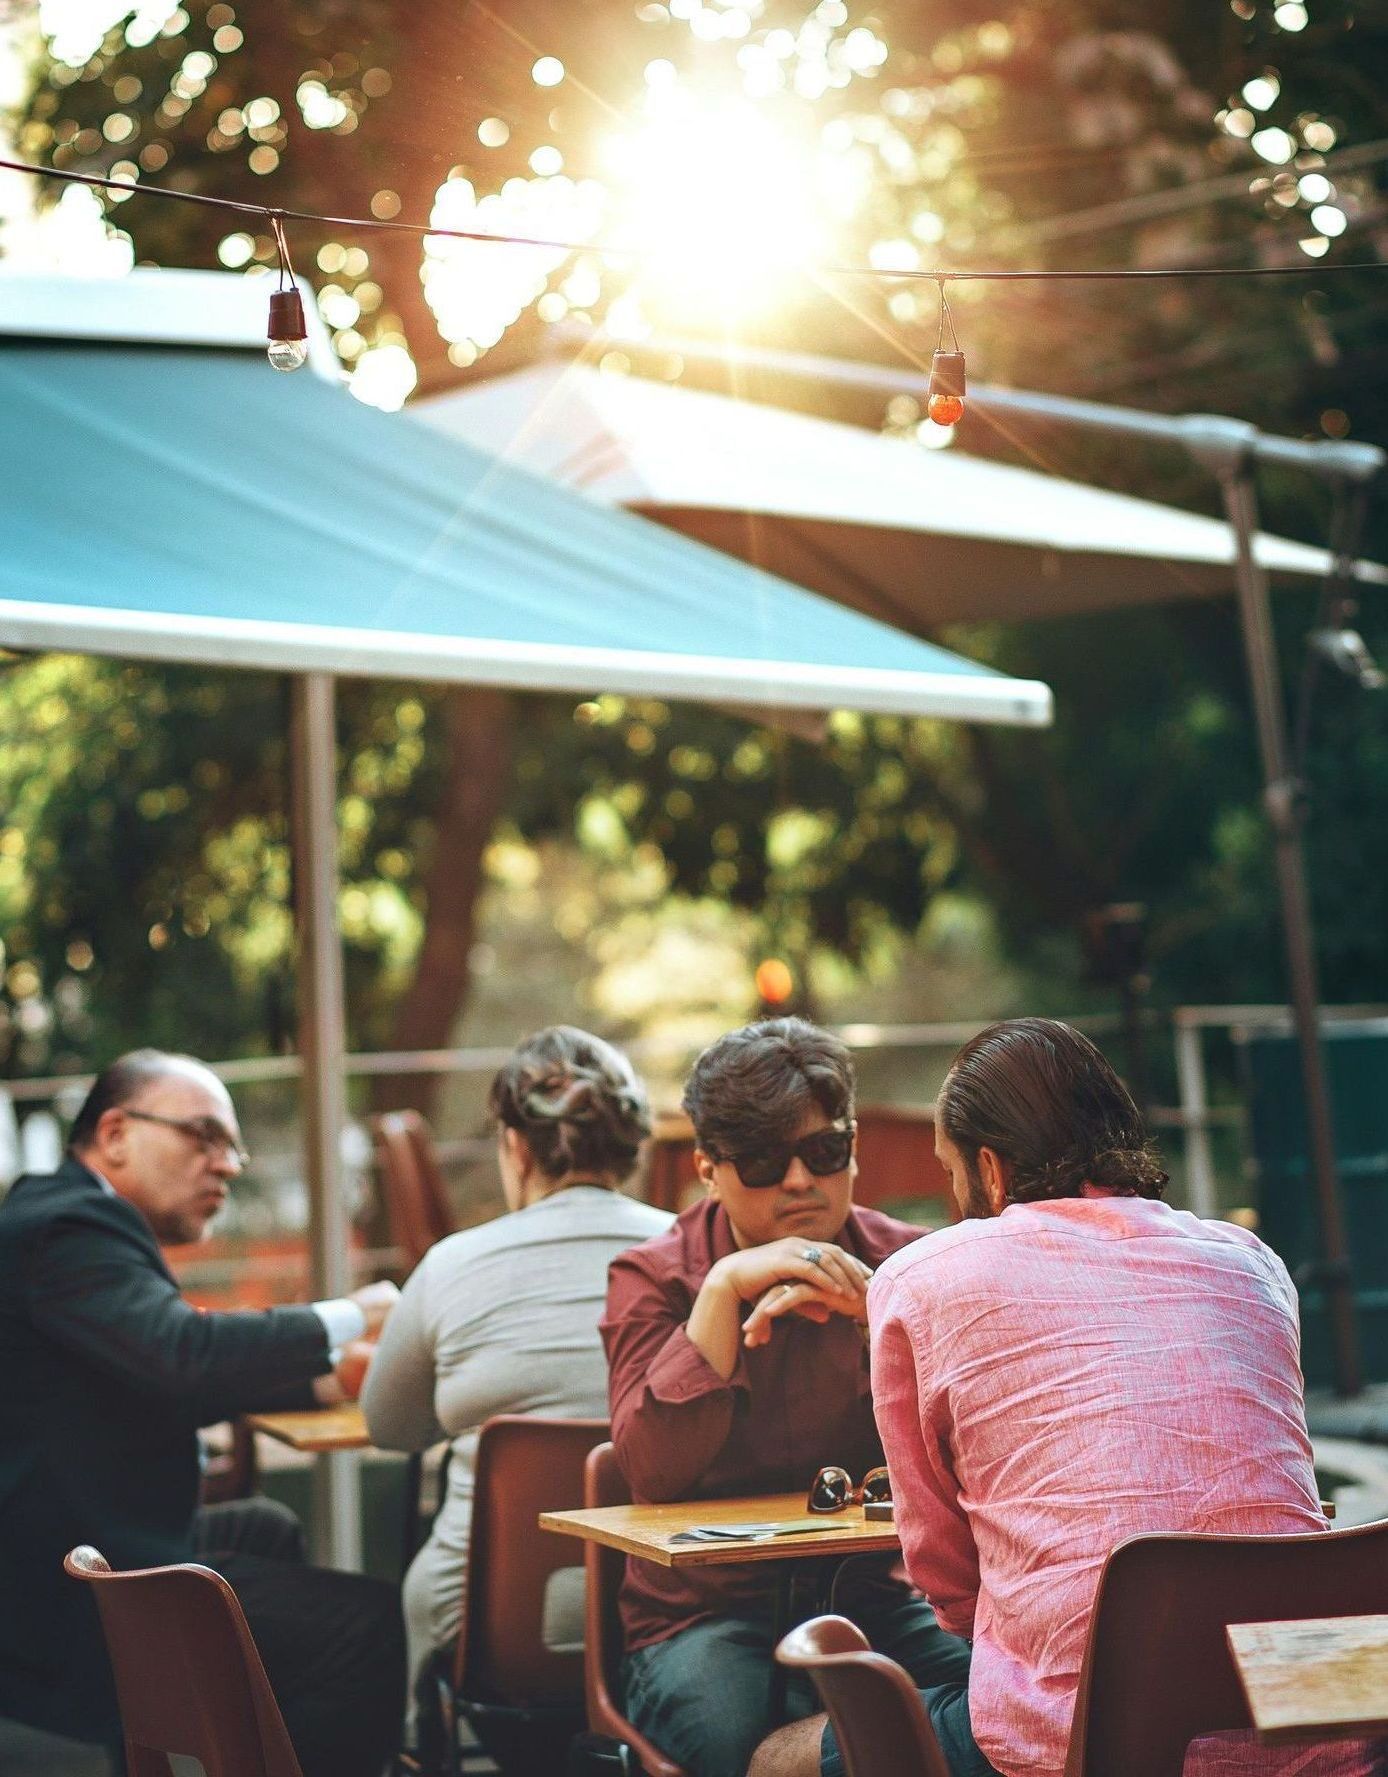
[{"x": 504, "y": 1318}]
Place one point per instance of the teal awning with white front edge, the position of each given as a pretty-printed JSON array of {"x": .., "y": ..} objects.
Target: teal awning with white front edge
[{"x": 195, "y": 506}]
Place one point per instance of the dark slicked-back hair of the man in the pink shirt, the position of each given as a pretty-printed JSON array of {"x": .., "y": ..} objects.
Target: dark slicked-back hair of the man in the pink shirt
[{"x": 1044, "y": 1099}]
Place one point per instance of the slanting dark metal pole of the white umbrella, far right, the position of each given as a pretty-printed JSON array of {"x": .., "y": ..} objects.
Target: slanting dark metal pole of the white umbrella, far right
[{"x": 1282, "y": 801}]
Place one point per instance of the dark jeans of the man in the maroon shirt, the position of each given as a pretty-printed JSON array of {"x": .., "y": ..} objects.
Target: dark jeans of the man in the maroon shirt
[{"x": 703, "y": 1696}]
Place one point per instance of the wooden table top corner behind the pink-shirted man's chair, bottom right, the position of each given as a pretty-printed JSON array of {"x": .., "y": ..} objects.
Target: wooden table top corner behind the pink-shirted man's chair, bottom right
[{"x": 1323, "y": 1678}]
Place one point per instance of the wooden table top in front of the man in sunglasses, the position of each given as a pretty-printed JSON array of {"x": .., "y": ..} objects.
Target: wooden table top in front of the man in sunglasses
[{"x": 648, "y": 1531}]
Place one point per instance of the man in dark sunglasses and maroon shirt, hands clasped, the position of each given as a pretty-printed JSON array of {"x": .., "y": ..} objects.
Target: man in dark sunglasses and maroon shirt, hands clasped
[{"x": 737, "y": 1348}]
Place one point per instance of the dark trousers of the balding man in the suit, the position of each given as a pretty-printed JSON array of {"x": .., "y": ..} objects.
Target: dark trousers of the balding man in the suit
[{"x": 333, "y": 1645}]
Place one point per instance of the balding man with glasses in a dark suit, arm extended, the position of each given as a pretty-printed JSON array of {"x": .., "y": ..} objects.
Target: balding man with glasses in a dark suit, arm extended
[{"x": 106, "y": 1376}]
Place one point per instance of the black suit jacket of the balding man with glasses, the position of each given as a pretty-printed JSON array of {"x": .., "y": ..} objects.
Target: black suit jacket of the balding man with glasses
[{"x": 106, "y": 1376}]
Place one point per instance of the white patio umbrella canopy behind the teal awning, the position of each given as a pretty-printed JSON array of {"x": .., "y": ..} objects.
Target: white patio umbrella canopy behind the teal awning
[{"x": 918, "y": 538}]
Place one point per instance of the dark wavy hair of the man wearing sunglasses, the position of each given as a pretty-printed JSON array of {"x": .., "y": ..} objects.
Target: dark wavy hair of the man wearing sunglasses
[{"x": 756, "y": 1085}]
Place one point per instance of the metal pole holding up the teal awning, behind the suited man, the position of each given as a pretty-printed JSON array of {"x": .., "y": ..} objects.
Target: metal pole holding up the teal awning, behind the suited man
[{"x": 323, "y": 1044}]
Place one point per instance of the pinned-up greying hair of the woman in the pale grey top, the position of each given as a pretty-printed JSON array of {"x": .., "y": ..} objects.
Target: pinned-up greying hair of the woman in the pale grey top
[{"x": 577, "y": 1101}]
